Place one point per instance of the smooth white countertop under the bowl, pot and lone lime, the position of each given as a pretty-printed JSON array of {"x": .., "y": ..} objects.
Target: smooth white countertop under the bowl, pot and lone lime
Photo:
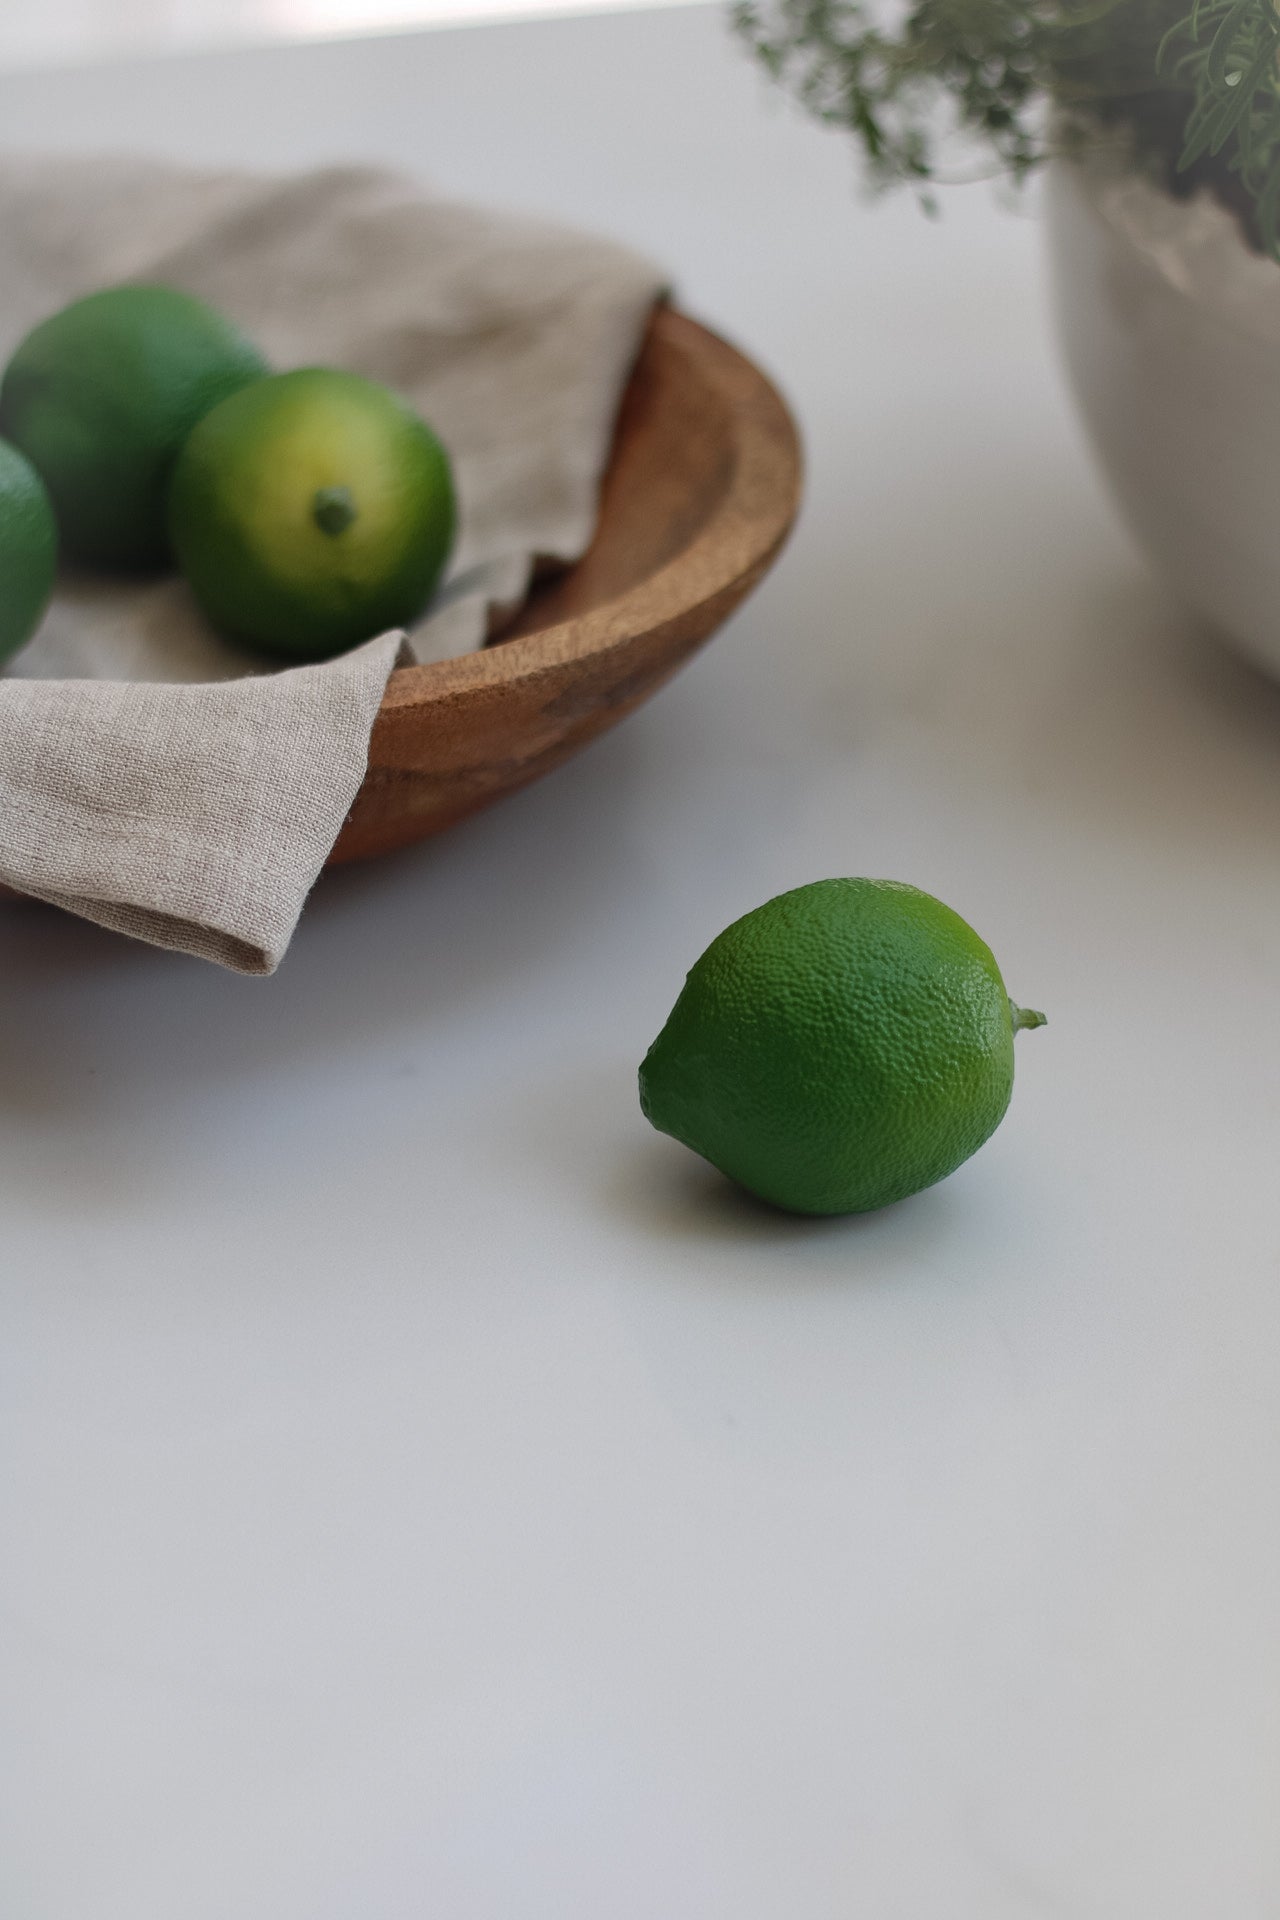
[{"x": 429, "y": 1495}]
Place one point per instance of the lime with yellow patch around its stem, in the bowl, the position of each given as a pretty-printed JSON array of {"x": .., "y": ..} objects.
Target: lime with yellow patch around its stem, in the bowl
[{"x": 312, "y": 512}]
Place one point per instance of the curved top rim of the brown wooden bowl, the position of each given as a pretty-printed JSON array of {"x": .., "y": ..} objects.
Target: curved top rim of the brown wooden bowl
[{"x": 746, "y": 529}]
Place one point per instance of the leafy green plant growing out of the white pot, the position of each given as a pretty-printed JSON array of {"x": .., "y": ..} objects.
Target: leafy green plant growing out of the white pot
[{"x": 1197, "y": 95}]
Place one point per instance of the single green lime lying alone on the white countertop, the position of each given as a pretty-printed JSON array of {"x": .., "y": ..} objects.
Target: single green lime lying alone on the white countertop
[{"x": 838, "y": 1049}]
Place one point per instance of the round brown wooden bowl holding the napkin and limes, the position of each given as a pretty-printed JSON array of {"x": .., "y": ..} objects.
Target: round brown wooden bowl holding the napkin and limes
[{"x": 699, "y": 496}]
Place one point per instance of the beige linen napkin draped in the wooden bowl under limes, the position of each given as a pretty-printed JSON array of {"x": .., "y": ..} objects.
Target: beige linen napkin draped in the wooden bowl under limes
[{"x": 151, "y": 777}]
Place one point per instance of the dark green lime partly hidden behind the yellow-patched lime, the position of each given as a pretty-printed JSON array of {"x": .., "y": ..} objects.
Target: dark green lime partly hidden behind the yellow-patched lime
[{"x": 103, "y": 396}]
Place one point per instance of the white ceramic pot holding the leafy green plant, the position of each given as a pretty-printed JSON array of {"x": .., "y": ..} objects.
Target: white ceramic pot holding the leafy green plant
[{"x": 1172, "y": 333}]
